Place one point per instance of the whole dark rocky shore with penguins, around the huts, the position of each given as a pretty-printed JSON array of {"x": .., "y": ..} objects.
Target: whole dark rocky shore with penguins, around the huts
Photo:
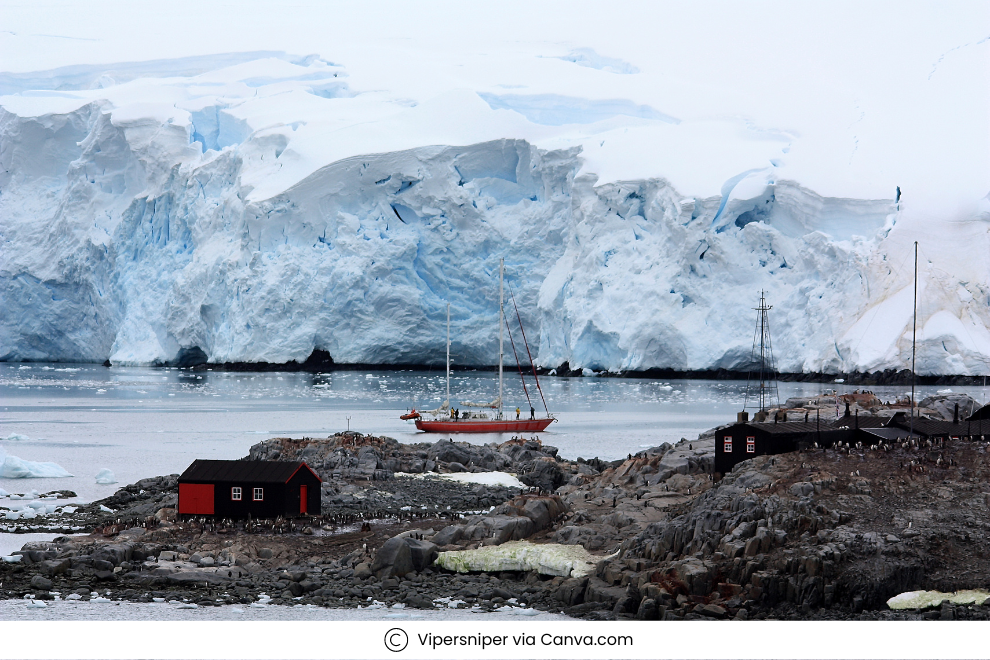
[{"x": 809, "y": 535}]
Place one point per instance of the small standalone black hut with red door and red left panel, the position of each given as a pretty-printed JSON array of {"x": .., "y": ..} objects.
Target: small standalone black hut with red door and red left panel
[{"x": 237, "y": 489}]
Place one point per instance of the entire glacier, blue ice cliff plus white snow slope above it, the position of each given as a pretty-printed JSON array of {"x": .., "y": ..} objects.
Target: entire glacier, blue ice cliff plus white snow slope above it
[{"x": 257, "y": 205}]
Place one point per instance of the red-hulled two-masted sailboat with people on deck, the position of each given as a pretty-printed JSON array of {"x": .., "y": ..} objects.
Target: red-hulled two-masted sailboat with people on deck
[{"x": 443, "y": 419}]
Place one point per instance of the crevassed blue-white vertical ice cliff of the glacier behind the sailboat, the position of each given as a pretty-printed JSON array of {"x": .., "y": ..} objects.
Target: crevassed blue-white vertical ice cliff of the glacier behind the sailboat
[{"x": 145, "y": 222}]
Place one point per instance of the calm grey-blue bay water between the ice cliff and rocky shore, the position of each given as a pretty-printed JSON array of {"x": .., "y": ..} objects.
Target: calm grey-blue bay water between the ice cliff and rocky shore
[{"x": 141, "y": 422}]
